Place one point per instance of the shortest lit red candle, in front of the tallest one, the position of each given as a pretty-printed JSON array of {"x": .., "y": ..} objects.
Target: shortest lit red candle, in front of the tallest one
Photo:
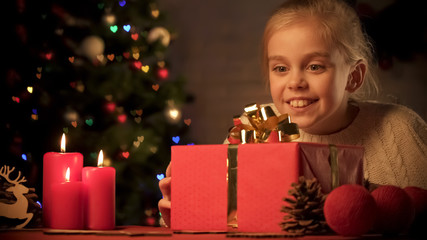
[{"x": 67, "y": 204}]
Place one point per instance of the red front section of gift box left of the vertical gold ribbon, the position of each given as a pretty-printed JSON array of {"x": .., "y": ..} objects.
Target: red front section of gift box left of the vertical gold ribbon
[{"x": 199, "y": 187}]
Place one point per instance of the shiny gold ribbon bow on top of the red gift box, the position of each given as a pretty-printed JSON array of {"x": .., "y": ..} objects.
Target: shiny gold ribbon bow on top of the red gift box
[{"x": 263, "y": 124}]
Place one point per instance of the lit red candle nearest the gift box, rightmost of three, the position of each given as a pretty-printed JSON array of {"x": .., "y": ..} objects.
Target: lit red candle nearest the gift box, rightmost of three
[{"x": 100, "y": 196}]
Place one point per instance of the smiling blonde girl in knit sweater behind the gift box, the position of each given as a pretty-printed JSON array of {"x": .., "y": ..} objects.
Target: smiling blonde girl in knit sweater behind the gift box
[{"x": 319, "y": 65}]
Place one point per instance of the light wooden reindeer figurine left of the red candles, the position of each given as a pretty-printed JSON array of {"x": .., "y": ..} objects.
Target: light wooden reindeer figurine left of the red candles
[{"x": 19, "y": 208}]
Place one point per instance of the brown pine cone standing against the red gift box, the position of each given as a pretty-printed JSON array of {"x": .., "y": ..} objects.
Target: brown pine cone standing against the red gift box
[{"x": 305, "y": 208}]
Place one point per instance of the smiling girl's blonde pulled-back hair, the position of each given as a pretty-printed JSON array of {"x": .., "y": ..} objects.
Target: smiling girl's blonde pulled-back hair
[{"x": 339, "y": 26}]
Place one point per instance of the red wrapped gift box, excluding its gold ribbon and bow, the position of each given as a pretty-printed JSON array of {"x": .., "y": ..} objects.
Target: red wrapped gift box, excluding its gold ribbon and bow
[{"x": 264, "y": 176}]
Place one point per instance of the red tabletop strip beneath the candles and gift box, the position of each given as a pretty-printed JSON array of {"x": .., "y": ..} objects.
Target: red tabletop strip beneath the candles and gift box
[{"x": 157, "y": 233}]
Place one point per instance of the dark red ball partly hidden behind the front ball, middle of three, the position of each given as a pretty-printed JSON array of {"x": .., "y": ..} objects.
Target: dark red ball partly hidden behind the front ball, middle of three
[{"x": 395, "y": 209}]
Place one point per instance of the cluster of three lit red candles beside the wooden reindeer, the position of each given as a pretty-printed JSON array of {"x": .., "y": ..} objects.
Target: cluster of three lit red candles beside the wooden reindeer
[{"x": 75, "y": 197}]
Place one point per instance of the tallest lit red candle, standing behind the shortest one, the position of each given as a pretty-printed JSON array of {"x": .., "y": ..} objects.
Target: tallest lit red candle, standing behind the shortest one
[{"x": 54, "y": 167}]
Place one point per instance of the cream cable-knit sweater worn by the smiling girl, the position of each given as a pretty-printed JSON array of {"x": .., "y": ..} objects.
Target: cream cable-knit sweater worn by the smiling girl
[{"x": 395, "y": 142}]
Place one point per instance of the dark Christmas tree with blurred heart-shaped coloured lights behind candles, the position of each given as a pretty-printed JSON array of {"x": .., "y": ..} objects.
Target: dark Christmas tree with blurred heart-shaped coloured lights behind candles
[{"x": 97, "y": 71}]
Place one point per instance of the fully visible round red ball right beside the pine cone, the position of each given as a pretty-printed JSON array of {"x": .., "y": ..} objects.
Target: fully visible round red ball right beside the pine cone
[{"x": 350, "y": 210}]
